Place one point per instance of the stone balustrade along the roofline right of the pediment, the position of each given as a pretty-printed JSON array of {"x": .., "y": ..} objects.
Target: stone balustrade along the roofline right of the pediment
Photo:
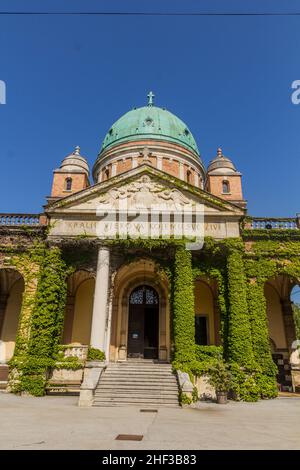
[{"x": 277, "y": 223}]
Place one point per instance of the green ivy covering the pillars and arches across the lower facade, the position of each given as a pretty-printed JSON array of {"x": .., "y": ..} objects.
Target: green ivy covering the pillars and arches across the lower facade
[{"x": 239, "y": 267}]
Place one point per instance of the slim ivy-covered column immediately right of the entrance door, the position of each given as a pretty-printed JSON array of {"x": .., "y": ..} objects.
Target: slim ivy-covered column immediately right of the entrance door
[{"x": 183, "y": 306}]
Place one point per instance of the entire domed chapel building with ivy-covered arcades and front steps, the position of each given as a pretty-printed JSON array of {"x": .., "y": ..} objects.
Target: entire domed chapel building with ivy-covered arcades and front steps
[{"x": 111, "y": 287}]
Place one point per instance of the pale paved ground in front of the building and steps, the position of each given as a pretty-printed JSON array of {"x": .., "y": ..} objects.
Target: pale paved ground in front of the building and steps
[{"x": 57, "y": 423}]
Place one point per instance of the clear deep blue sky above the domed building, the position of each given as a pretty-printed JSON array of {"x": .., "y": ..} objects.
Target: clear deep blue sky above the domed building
[{"x": 69, "y": 78}]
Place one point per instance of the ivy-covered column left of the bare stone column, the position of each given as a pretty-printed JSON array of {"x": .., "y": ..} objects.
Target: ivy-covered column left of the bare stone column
[{"x": 46, "y": 324}]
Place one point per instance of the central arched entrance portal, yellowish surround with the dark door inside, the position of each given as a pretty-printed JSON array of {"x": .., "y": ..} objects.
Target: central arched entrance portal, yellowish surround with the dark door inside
[{"x": 133, "y": 280}]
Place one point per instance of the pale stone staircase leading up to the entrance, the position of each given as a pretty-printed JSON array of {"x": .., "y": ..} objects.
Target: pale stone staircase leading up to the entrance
[{"x": 137, "y": 383}]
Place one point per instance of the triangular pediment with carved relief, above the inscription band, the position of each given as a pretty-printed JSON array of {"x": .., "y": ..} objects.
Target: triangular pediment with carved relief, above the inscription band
[{"x": 143, "y": 188}]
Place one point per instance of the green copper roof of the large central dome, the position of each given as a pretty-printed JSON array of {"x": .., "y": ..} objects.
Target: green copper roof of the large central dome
[{"x": 149, "y": 122}]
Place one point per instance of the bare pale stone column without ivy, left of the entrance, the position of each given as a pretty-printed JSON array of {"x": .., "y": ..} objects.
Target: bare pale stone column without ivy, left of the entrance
[{"x": 100, "y": 308}]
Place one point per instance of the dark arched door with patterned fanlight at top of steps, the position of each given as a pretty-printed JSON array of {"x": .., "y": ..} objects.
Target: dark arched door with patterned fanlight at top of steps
[{"x": 143, "y": 323}]
